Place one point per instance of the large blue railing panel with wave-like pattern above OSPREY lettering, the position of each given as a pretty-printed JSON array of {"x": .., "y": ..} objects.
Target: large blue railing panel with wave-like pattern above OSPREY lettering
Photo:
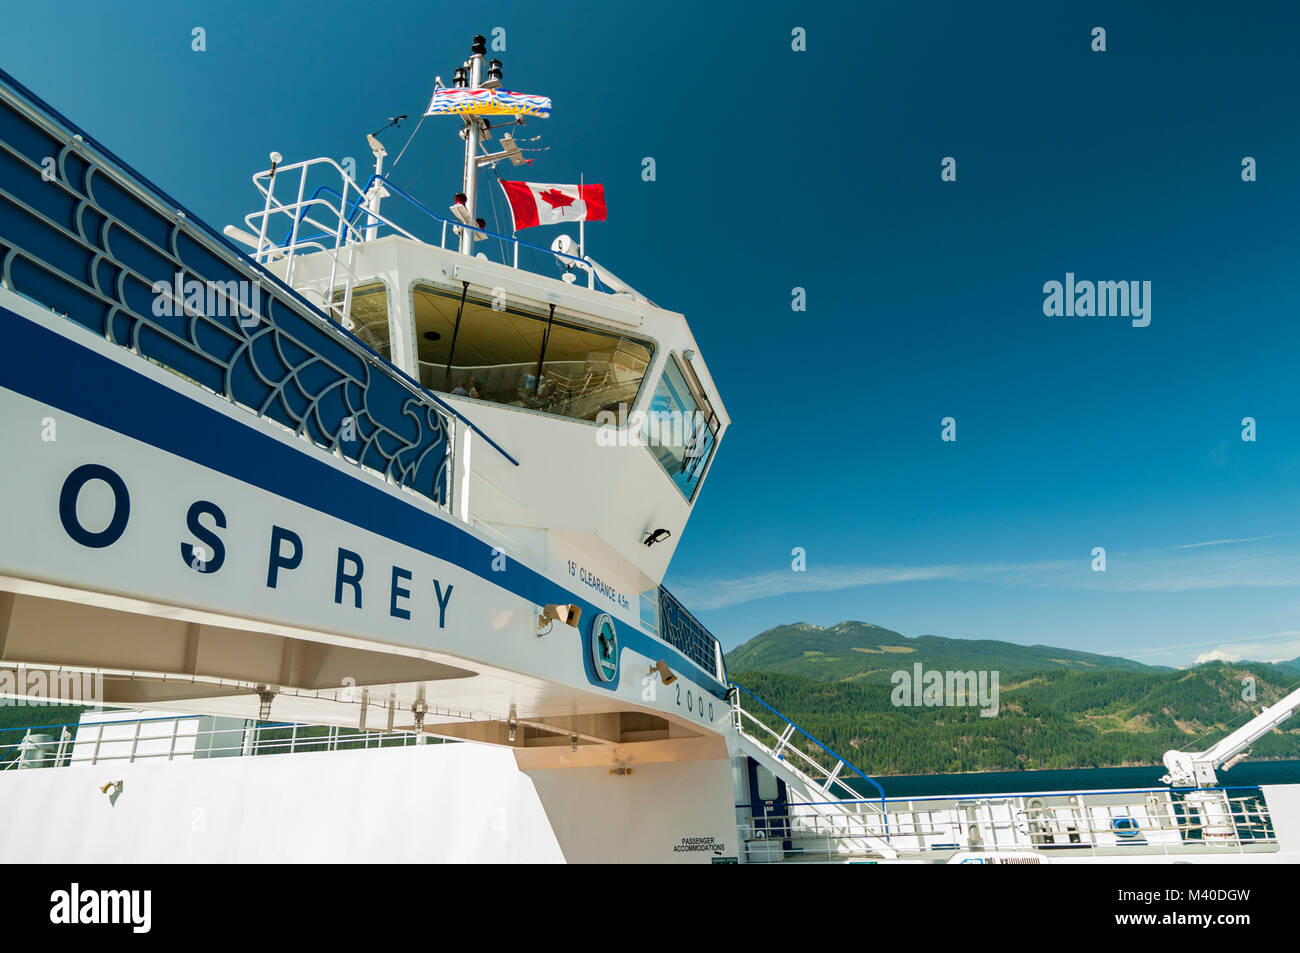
[{"x": 89, "y": 241}]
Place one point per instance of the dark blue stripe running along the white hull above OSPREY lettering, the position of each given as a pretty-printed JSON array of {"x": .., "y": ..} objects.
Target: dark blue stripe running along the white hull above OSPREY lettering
[{"x": 50, "y": 369}]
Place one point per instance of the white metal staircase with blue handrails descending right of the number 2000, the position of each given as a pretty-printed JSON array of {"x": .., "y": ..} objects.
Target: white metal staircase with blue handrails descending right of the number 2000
[{"x": 827, "y": 818}]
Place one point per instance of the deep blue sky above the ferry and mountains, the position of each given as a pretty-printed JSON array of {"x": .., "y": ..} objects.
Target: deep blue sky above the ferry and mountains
[{"x": 925, "y": 298}]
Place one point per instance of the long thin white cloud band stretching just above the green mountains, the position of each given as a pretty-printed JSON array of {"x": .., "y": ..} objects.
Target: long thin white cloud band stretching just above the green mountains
[{"x": 1173, "y": 569}]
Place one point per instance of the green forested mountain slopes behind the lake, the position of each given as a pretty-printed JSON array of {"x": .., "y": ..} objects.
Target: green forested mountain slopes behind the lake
[{"x": 1058, "y": 709}]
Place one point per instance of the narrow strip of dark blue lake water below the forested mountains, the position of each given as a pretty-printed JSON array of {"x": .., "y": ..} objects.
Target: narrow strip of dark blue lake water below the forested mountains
[{"x": 1249, "y": 774}]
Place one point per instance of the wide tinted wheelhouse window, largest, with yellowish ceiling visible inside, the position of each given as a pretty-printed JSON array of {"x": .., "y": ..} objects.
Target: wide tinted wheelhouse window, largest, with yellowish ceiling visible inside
[{"x": 534, "y": 359}]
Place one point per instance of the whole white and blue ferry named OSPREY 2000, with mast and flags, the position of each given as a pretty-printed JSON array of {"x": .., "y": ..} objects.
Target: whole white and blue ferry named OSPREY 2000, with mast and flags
[{"x": 356, "y": 517}]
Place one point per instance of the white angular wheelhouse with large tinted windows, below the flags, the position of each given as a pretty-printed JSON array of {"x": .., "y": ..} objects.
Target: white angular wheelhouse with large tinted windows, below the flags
[{"x": 600, "y": 396}]
